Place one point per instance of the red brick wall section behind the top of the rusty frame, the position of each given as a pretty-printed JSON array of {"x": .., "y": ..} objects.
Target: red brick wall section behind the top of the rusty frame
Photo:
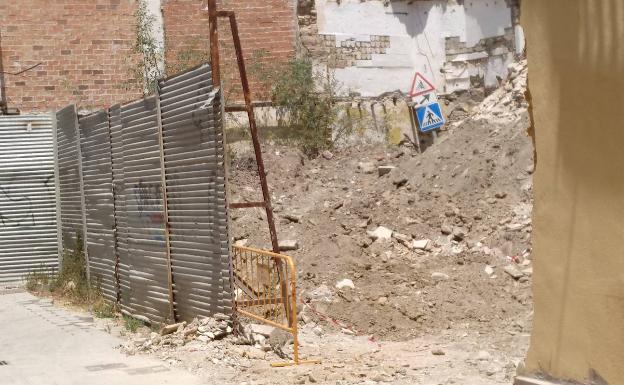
[{"x": 264, "y": 25}]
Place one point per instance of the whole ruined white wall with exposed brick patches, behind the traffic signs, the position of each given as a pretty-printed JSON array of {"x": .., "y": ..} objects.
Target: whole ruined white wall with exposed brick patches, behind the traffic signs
[{"x": 417, "y": 33}]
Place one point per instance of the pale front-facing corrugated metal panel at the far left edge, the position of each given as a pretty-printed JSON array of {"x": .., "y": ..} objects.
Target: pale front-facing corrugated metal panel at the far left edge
[{"x": 28, "y": 232}]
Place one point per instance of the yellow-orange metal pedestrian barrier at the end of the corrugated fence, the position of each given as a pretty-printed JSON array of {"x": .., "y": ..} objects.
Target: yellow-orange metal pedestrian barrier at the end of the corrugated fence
[{"x": 265, "y": 290}]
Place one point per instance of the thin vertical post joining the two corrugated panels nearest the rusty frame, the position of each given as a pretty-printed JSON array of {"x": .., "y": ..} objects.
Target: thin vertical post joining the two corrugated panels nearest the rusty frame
[{"x": 163, "y": 179}]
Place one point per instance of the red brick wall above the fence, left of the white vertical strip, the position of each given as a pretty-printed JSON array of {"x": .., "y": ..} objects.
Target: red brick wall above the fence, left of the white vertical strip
[{"x": 85, "y": 50}]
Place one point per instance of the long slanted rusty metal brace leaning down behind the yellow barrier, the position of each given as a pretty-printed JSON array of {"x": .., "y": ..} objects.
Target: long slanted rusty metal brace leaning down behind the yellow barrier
[{"x": 258, "y": 151}]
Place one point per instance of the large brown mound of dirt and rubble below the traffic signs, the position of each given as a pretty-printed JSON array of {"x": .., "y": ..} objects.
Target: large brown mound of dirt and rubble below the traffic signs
[{"x": 466, "y": 198}]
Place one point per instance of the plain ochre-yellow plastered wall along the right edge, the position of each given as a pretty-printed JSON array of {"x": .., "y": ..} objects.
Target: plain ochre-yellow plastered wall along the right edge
[{"x": 576, "y": 79}]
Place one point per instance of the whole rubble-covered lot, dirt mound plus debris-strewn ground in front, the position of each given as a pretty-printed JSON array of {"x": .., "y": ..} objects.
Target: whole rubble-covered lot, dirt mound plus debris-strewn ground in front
[{"x": 412, "y": 268}]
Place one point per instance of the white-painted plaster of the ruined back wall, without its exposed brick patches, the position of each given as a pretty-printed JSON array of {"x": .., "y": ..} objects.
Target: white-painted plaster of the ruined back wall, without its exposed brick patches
[{"x": 417, "y": 31}]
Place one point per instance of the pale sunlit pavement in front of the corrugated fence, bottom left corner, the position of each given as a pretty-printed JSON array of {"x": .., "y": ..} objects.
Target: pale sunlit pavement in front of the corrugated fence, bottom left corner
[{"x": 43, "y": 345}]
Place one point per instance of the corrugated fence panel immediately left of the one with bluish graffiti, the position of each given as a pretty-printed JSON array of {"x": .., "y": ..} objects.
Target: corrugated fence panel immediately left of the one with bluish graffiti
[{"x": 98, "y": 193}]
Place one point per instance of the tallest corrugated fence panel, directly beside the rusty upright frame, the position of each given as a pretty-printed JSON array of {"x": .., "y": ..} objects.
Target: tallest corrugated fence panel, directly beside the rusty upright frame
[{"x": 195, "y": 179}]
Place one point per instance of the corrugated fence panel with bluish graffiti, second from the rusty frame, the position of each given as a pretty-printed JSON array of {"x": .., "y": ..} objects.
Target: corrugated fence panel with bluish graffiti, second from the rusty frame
[{"x": 147, "y": 254}]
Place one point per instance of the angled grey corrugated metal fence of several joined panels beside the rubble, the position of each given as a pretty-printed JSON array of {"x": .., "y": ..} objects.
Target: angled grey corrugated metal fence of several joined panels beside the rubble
[{"x": 155, "y": 213}]
